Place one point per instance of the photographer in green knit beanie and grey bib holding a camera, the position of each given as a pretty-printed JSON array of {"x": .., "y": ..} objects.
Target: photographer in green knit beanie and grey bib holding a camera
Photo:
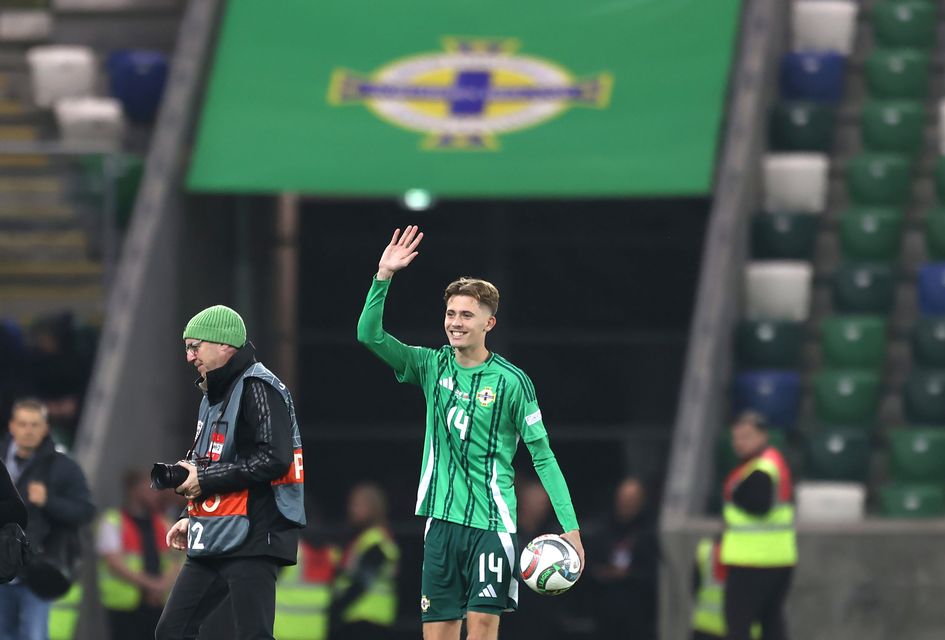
[{"x": 243, "y": 478}]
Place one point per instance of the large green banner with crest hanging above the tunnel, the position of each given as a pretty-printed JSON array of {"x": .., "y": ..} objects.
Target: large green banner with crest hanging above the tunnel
[{"x": 527, "y": 98}]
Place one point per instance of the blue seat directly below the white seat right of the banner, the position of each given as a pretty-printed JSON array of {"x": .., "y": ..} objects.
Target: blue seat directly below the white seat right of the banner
[{"x": 809, "y": 75}]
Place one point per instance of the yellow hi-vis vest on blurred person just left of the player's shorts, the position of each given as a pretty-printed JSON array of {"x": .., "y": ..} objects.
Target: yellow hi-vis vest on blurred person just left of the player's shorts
[{"x": 378, "y": 603}]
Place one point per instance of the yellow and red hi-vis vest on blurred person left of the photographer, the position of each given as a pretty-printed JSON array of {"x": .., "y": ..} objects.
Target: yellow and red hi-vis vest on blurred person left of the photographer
[{"x": 116, "y": 593}]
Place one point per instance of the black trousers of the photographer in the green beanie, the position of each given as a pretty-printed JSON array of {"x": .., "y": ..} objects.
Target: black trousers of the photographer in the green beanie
[{"x": 202, "y": 585}]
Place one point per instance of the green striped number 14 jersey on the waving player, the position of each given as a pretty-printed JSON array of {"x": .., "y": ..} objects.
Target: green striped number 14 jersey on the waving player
[{"x": 475, "y": 418}]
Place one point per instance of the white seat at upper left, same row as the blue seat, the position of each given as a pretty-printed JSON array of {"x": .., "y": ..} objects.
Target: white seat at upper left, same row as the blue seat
[{"x": 60, "y": 72}]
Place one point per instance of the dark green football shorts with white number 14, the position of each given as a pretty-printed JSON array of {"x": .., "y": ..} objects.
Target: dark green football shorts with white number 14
[{"x": 466, "y": 569}]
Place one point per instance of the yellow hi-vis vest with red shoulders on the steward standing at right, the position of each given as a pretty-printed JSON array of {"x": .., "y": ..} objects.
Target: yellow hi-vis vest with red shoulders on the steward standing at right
[{"x": 760, "y": 541}]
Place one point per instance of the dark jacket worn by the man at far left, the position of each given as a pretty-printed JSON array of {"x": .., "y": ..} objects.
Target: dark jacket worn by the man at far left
[{"x": 68, "y": 500}]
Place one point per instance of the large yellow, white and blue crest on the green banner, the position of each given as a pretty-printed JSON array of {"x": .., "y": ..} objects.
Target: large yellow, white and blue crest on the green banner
[{"x": 467, "y": 94}]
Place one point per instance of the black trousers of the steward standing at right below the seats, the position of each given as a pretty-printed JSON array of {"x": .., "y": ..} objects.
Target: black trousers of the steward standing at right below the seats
[{"x": 756, "y": 595}]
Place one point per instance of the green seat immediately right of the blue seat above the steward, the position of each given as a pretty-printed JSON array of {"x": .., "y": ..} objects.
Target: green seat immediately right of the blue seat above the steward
[{"x": 846, "y": 397}]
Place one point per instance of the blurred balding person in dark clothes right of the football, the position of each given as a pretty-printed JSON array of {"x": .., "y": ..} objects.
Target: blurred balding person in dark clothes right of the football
[{"x": 625, "y": 571}]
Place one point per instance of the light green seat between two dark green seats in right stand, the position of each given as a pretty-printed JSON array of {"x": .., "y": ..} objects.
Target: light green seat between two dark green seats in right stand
[{"x": 853, "y": 341}]
